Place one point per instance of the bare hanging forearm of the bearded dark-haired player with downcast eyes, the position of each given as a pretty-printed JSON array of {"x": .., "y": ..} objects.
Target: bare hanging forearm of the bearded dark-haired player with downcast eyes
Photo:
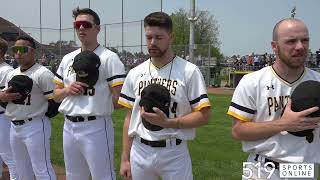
[{"x": 126, "y": 139}]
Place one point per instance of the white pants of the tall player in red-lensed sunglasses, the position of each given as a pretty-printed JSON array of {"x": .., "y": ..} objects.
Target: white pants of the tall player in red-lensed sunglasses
[{"x": 88, "y": 148}]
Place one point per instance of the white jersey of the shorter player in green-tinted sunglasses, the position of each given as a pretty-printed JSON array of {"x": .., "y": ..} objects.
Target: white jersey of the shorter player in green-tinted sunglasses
[{"x": 36, "y": 103}]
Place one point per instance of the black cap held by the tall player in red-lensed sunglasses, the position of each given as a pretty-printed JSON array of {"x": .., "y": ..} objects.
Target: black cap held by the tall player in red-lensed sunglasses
[{"x": 86, "y": 65}]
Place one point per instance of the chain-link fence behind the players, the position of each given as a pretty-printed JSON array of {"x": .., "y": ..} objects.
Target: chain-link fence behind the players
[{"x": 128, "y": 44}]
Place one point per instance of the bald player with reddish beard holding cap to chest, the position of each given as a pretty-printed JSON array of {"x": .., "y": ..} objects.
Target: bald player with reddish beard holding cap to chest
[{"x": 261, "y": 96}]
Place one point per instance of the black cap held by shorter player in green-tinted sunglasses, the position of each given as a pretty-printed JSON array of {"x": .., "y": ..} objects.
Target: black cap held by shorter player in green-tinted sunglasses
[{"x": 20, "y": 84}]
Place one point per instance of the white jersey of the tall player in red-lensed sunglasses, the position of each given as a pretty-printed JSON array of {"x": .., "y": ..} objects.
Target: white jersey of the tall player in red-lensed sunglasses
[{"x": 96, "y": 101}]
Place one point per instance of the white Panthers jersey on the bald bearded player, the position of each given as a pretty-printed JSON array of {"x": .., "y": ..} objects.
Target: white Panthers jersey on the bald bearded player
[{"x": 261, "y": 96}]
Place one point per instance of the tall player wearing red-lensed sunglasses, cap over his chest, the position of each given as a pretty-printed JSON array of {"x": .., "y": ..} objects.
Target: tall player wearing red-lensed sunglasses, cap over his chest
[{"x": 88, "y": 132}]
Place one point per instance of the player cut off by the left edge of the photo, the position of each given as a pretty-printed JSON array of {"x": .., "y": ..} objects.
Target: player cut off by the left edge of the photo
[{"x": 5, "y": 148}]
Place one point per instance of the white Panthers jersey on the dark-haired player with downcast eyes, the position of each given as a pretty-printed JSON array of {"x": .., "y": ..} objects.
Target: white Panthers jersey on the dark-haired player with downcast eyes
[{"x": 187, "y": 89}]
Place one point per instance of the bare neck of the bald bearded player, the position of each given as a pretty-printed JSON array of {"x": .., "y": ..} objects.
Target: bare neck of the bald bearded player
[{"x": 286, "y": 72}]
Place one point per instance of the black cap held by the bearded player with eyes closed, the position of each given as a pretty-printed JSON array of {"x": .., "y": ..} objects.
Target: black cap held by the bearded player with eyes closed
[{"x": 154, "y": 95}]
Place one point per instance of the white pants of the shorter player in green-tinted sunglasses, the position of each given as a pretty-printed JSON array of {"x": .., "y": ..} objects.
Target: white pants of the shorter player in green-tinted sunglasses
[{"x": 31, "y": 149}]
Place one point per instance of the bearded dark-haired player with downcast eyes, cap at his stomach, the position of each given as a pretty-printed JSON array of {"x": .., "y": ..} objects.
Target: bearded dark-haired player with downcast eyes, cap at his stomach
[{"x": 150, "y": 153}]
